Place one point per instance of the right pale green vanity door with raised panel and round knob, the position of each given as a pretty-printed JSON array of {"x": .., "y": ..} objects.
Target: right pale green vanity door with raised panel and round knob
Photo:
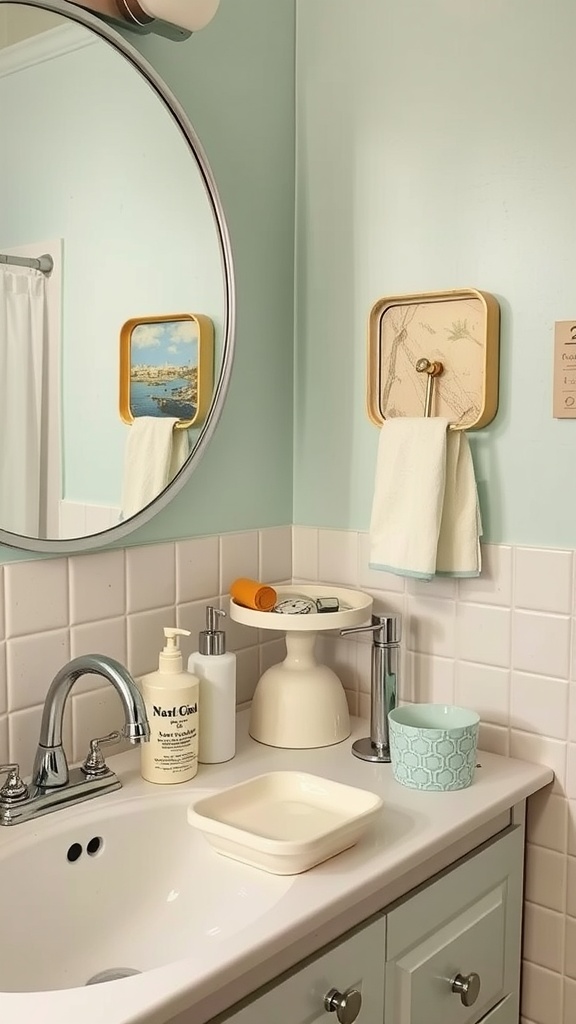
[{"x": 468, "y": 922}]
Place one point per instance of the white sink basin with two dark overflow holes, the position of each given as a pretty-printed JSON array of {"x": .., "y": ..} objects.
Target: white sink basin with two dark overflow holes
[{"x": 151, "y": 892}]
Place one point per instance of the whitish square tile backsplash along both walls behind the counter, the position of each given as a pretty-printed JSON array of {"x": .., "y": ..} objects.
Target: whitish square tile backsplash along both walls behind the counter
[{"x": 503, "y": 645}]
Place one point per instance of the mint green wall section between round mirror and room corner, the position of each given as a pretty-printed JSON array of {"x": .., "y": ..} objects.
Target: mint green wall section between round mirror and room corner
[{"x": 236, "y": 81}]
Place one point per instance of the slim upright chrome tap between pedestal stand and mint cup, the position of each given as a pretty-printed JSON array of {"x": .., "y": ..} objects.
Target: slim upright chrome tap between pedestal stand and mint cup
[{"x": 386, "y": 663}]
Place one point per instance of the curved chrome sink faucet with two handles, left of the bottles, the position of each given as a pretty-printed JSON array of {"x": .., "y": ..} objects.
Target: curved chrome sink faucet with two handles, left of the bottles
[{"x": 54, "y": 786}]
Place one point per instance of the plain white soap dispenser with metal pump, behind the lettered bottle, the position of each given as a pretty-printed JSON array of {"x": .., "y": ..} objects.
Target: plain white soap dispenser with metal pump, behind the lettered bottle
[{"x": 216, "y": 669}]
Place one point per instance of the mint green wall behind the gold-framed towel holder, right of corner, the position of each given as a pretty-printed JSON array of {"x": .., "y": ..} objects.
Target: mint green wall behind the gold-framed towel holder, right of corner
[{"x": 436, "y": 149}]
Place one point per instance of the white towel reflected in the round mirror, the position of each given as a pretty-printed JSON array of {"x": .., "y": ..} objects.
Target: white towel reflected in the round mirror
[{"x": 154, "y": 454}]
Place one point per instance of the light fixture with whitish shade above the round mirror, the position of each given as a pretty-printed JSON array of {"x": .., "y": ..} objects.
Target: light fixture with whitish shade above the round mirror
[{"x": 189, "y": 15}]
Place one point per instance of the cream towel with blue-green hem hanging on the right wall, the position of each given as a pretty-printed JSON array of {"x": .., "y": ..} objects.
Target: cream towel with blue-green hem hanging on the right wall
[{"x": 426, "y": 515}]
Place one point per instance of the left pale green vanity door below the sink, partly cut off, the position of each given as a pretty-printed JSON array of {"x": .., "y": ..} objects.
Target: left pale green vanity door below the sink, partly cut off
[{"x": 356, "y": 963}]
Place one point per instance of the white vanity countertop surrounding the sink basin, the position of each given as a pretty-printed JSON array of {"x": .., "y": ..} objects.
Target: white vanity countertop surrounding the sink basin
[{"x": 414, "y": 829}]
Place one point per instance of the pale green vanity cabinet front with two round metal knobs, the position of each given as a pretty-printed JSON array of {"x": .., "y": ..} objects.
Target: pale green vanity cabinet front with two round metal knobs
[{"x": 448, "y": 953}]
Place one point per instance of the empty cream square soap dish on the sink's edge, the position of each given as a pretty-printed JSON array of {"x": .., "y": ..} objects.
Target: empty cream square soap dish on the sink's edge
[{"x": 284, "y": 822}]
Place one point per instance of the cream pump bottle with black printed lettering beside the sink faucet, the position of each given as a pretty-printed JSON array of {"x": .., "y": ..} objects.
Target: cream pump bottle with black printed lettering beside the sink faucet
[{"x": 172, "y": 699}]
